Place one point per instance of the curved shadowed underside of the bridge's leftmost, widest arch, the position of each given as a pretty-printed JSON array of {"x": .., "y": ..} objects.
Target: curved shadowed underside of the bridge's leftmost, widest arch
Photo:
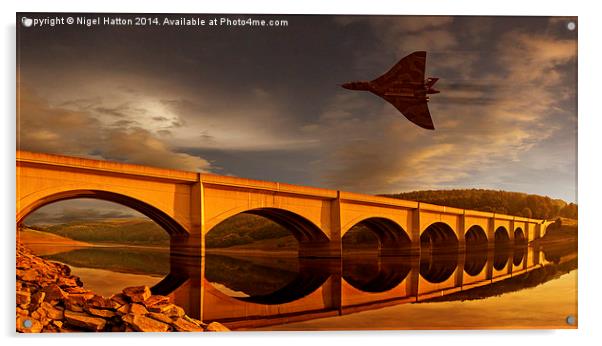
[{"x": 169, "y": 224}]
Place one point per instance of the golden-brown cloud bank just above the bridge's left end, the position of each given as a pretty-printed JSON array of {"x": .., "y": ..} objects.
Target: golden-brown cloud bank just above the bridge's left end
[{"x": 59, "y": 130}]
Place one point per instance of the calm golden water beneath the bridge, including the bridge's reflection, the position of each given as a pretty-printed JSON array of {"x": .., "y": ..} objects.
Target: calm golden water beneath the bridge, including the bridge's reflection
[{"x": 525, "y": 287}]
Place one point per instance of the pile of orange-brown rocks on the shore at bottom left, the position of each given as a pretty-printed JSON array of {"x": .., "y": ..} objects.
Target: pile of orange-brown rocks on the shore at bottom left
[{"x": 50, "y": 299}]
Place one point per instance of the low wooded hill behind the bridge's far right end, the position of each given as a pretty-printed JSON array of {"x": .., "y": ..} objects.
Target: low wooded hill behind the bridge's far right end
[{"x": 503, "y": 202}]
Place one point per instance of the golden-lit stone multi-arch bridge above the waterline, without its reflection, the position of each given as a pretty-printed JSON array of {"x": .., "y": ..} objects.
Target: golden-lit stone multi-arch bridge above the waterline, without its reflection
[{"x": 188, "y": 205}]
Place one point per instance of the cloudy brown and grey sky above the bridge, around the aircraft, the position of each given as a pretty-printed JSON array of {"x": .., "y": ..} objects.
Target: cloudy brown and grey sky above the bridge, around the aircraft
[{"x": 265, "y": 103}]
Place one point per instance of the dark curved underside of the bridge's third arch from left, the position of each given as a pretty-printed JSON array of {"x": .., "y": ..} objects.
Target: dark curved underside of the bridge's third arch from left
[{"x": 392, "y": 238}]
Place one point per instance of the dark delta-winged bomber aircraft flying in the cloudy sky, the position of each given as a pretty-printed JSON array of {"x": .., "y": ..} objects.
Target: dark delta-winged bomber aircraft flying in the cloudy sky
[{"x": 405, "y": 88}]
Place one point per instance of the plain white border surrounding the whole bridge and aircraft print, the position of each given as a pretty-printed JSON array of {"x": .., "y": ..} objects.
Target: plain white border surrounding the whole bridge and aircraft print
[{"x": 589, "y": 167}]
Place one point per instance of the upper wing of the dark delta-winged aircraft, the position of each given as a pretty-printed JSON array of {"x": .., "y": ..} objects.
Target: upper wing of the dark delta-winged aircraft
[{"x": 409, "y": 70}]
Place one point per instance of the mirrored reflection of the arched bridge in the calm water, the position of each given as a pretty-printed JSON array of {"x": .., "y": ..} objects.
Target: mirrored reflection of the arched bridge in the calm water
[{"x": 315, "y": 288}]
